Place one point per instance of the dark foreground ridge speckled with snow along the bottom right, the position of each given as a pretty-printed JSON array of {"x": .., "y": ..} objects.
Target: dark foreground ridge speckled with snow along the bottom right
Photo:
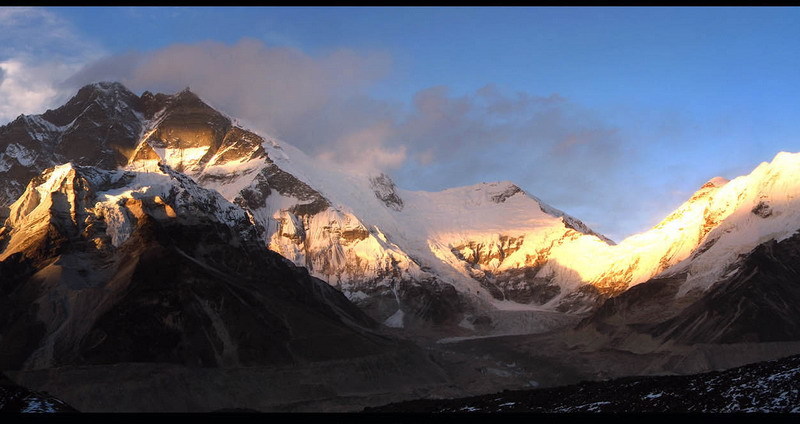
[{"x": 772, "y": 386}]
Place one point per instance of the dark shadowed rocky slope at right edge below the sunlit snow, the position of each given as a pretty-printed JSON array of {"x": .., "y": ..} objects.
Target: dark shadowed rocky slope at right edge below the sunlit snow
[{"x": 757, "y": 301}]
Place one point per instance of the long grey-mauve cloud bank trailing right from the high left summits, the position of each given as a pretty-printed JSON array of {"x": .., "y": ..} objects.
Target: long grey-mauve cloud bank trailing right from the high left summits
[{"x": 321, "y": 105}]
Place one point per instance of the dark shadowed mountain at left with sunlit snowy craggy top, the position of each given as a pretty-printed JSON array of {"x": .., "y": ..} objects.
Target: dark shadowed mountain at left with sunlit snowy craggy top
[{"x": 189, "y": 283}]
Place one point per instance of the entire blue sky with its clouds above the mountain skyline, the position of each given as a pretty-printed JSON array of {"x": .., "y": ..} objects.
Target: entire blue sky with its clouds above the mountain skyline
[{"x": 615, "y": 115}]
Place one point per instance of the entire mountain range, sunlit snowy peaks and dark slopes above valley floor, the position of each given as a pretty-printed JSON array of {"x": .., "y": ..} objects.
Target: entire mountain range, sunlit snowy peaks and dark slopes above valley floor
[{"x": 156, "y": 229}]
